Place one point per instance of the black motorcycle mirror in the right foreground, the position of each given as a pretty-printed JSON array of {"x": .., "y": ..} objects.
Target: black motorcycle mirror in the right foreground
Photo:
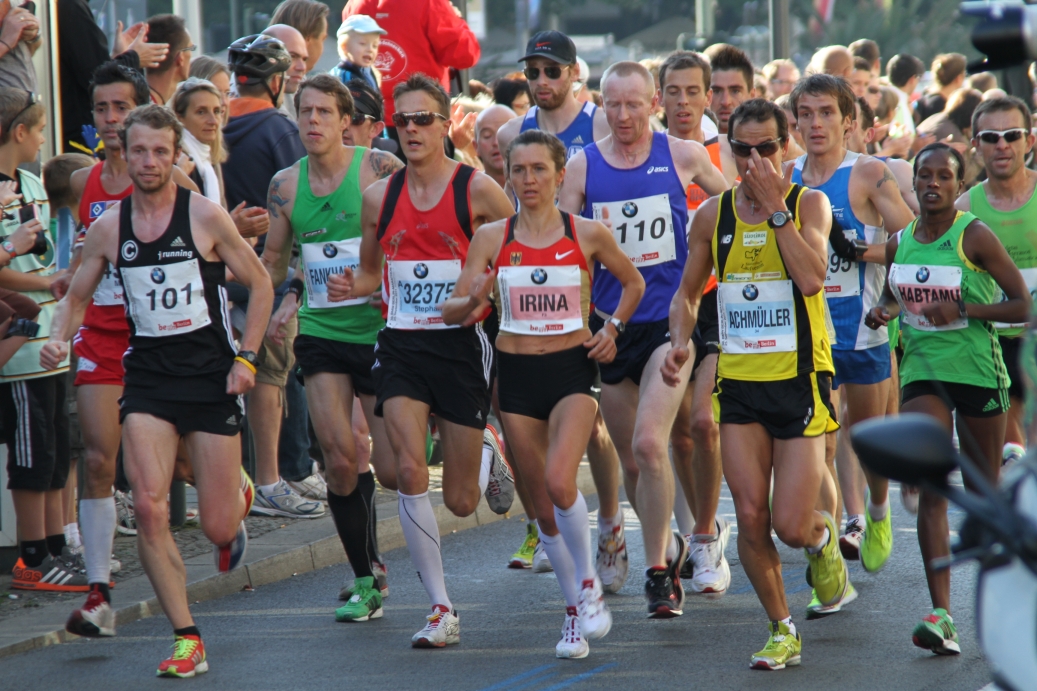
[{"x": 909, "y": 449}]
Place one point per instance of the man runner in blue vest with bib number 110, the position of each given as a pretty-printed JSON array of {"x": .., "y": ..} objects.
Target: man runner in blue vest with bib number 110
[{"x": 635, "y": 181}]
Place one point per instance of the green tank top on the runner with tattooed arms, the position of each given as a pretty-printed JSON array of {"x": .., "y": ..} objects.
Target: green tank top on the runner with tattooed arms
[{"x": 329, "y": 233}]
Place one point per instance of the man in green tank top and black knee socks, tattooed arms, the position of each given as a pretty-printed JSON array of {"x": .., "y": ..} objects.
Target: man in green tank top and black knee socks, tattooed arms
[{"x": 319, "y": 202}]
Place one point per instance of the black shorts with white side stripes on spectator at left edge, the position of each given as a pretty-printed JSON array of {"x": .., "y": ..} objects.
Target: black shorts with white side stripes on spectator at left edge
[{"x": 36, "y": 428}]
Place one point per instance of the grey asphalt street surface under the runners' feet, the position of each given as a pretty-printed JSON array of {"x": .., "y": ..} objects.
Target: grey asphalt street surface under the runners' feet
[{"x": 285, "y": 637}]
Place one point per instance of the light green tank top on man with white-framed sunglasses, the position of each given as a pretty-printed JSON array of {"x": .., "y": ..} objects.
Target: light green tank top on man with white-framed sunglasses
[{"x": 1018, "y": 232}]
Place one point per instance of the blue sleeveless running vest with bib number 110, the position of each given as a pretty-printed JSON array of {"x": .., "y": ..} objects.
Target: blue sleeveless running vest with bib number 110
[{"x": 649, "y": 212}]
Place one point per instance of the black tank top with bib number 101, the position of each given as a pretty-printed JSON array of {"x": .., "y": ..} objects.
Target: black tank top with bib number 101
[{"x": 181, "y": 344}]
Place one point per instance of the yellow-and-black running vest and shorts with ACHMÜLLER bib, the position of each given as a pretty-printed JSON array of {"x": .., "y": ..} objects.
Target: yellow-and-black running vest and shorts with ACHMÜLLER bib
[{"x": 775, "y": 364}]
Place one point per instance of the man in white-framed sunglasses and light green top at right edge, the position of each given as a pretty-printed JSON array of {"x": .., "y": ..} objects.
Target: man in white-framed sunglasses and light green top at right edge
[{"x": 1007, "y": 203}]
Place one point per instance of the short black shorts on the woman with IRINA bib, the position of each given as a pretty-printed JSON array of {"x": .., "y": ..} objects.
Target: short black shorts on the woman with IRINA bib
[{"x": 532, "y": 385}]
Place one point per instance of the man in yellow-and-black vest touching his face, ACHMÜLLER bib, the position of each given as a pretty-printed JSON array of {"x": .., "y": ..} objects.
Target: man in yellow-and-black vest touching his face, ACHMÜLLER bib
[{"x": 767, "y": 239}]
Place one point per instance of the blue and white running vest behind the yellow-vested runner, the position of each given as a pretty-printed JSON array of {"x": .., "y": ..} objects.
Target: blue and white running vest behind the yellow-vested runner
[{"x": 852, "y": 288}]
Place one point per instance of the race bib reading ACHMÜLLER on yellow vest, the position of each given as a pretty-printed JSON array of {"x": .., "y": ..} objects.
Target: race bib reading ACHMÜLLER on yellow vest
[{"x": 756, "y": 318}]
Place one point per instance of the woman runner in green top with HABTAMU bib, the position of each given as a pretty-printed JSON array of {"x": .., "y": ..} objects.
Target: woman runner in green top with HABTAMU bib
[{"x": 945, "y": 278}]
